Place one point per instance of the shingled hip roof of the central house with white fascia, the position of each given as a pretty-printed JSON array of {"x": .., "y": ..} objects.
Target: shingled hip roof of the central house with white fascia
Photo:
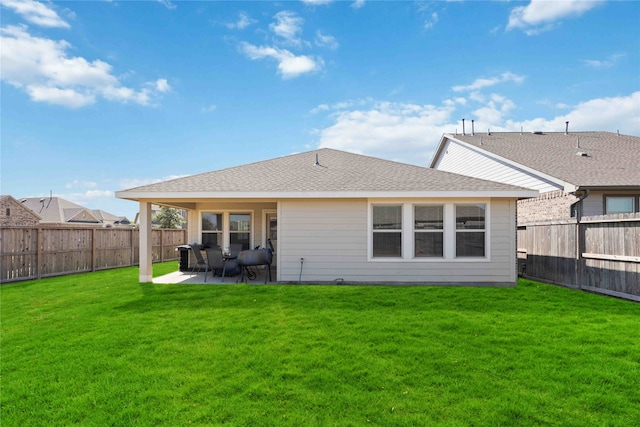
[{"x": 324, "y": 173}]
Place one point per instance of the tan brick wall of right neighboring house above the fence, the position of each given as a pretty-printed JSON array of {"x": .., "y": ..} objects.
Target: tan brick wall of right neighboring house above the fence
[{"x": 547, "y": 206}]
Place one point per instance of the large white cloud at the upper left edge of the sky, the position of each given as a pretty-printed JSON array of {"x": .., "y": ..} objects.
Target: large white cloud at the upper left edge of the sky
[{"x": 42, "y": 68}]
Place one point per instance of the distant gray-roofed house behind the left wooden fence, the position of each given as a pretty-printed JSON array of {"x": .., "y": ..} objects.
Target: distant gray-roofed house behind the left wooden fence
[{"x": 55, "y": 210}]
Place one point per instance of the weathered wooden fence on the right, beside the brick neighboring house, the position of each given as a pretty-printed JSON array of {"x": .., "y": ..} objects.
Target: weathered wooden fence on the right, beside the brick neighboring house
[{"x": 599, "y": 253}]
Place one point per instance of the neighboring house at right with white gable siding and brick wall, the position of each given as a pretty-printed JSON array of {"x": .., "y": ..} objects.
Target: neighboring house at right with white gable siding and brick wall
[{"x": 577, "y": 173}]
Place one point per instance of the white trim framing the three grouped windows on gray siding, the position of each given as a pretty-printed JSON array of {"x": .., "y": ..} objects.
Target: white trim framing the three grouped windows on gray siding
[{"x": 449, "y": 213}]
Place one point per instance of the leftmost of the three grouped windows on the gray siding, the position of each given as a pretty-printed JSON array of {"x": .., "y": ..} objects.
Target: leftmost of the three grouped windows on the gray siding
[{"x": 387, "y": 231}]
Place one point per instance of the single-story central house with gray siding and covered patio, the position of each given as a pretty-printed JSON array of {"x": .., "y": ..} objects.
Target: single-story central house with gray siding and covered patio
[{"x": 340, "y": 217}]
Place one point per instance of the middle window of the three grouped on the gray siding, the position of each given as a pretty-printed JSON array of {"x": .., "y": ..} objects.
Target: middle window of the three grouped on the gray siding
[{"x": 428, "y": 226}]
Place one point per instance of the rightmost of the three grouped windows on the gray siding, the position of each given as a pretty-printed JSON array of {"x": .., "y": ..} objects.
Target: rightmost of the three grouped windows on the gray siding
[{"x": 470, "y": 230}]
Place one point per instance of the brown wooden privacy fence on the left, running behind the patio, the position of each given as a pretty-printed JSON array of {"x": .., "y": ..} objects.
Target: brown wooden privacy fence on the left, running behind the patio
[{"x": 36, "y": 252}]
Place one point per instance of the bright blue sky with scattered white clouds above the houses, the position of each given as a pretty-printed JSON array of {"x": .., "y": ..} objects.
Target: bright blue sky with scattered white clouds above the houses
[{"x": 99, "y": 96}]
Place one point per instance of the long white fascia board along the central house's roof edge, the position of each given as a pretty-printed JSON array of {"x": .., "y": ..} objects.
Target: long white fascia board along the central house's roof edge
[{"x": 515, "y": 193}]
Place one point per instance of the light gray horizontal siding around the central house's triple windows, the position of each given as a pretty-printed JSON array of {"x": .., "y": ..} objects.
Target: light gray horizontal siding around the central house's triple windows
[{"x": 331, "y": 236}]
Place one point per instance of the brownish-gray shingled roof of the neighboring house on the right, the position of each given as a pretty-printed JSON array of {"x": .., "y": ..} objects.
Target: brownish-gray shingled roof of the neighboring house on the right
[{"x": 611, "y": 160}]
